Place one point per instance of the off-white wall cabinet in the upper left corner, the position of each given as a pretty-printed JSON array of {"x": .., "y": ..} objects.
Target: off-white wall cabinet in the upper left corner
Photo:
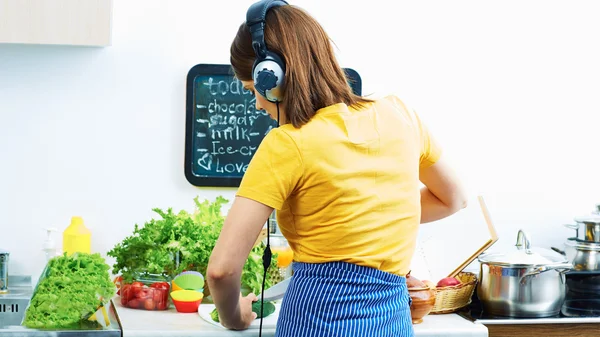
[{"x": 56, "y": 22}]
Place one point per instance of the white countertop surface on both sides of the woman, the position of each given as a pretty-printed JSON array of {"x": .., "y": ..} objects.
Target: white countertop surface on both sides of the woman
[{"x": 135, "y": 322}]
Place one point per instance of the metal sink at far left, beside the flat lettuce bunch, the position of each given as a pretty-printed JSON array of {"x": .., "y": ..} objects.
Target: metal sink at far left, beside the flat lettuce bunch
[{"x": 14, "y": 303}]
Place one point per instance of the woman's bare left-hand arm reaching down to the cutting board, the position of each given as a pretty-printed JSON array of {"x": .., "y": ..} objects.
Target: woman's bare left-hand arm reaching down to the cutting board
[{"x": 242, "y": 226}]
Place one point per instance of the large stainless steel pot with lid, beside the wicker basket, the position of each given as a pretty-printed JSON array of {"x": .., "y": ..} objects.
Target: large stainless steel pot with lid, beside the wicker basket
[{"x": 525, "y": 283}]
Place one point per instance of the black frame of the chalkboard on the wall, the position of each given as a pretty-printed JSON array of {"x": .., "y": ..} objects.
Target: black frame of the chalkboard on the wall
[{"x": 222, "y": 69}]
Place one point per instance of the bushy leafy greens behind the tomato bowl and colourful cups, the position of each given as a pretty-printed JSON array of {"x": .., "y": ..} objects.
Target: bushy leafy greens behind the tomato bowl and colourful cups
[{"x": 182, "y": 241}]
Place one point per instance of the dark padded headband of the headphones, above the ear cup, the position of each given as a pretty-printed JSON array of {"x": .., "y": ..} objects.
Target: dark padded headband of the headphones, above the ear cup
[{"x": 255, "y": 20}]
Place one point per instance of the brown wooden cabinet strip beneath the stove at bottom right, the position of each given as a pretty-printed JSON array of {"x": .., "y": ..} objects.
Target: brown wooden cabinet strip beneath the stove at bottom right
[{"x": 545, "y": 330}]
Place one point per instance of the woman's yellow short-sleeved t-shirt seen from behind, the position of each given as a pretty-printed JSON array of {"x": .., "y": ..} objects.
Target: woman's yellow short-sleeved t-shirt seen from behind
[{"x": 346, "y": 184}]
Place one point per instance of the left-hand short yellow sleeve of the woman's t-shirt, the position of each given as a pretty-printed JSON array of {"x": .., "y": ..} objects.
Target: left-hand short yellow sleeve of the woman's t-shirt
[{"x": 274, "y": 171}]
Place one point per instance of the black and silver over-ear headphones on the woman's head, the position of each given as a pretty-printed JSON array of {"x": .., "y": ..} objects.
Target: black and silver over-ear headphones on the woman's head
[{"x": 268, "y": 71}]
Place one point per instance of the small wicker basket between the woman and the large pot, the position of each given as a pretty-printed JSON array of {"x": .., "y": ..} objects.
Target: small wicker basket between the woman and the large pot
[{"x": 451, "y": 299}]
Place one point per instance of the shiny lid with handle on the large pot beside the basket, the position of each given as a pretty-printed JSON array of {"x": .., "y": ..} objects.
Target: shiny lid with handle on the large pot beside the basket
[{"x": 524, "y": 255}]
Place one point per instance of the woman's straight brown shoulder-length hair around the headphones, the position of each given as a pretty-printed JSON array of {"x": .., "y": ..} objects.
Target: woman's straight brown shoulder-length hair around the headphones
[{"x": 313, "y": 77}]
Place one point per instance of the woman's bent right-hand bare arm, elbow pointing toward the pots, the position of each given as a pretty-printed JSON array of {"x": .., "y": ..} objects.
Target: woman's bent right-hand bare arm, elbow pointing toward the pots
[{"x": 442, "y": 195}]
